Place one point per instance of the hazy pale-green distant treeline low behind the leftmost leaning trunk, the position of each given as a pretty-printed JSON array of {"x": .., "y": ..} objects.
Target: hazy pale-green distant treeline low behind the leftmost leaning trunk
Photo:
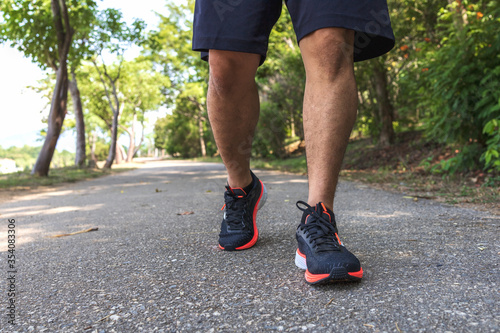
[{"x": 25, "y": 157}]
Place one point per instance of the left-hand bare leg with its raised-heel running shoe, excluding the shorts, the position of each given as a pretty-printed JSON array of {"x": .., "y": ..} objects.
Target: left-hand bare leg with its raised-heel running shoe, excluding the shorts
[{"x": 233, "y": 109}]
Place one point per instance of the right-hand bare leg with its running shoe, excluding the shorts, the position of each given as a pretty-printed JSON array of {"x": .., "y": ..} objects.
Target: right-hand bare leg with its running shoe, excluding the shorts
[{"x": 330, "y": 105}]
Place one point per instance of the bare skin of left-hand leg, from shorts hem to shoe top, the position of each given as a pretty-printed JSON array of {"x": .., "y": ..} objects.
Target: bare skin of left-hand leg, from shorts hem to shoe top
[{"x": 233, "y": 110}]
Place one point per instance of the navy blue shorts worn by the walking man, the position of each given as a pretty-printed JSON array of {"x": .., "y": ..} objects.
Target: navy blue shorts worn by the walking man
[{"x": 245, "y": 25}]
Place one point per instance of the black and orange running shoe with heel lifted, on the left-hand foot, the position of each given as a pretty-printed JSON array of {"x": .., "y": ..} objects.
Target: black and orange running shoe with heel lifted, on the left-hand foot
[{"x": 239, "y": 228}]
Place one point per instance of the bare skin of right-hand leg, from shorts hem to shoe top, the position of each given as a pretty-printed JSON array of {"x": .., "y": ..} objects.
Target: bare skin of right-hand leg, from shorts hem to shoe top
[{"x": 330, "y": 106}]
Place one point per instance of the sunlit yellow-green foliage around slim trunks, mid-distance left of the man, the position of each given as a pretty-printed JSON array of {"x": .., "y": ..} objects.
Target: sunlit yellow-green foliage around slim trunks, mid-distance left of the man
[{"x": 139, "y": 90}]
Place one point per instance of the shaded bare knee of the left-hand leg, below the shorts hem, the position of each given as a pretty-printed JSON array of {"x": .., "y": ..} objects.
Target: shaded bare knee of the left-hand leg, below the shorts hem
[{"x": 231, "y": 70}]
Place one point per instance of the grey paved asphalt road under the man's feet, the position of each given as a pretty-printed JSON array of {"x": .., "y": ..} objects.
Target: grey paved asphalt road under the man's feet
[{"x": 428, "y": 267}]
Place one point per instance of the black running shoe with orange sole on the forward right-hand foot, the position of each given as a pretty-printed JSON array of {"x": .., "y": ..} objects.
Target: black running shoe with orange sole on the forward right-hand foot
[{"x": 320, "y": 251}]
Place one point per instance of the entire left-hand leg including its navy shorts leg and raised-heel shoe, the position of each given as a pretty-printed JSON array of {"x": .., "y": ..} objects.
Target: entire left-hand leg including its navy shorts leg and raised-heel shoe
[{"x": 233, "y": 37}]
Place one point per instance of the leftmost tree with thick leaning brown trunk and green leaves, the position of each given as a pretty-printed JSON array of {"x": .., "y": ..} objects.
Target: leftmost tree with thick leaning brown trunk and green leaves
[{"x": 44, "y": 31}]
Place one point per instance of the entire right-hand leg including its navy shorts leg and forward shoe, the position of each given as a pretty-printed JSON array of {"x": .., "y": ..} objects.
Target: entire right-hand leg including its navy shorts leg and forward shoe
[{"x": 330, "y": 105}]
